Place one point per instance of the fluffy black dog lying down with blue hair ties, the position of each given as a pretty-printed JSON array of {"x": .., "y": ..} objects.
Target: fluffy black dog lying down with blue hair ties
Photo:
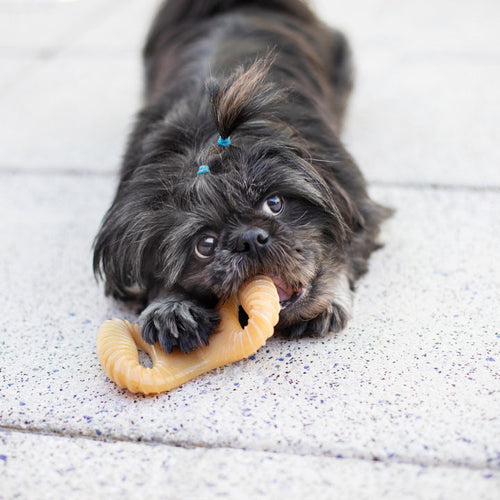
[{"x": 284, "y": 198}]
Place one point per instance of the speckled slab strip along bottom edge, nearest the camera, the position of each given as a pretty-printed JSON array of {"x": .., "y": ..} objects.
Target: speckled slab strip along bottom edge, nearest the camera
[{"x": 38, "y": 466}]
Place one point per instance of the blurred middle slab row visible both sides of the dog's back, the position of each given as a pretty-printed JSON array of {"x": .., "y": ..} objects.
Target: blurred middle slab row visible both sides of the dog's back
[{"x": 76, "y": 113}]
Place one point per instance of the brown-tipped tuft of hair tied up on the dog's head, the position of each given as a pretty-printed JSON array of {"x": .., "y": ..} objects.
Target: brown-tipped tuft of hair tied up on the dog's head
[{"x": 243, "y": 96}]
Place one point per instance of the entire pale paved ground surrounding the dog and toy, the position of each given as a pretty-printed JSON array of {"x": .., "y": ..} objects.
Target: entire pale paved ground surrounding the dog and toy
[{"x": 413, "y": 382}]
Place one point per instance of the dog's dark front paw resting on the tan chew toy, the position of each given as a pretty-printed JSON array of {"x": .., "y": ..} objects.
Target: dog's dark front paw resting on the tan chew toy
[{"x": 177, "y": 323}]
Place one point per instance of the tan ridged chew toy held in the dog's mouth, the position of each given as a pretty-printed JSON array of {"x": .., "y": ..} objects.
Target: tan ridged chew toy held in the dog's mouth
[{"x": 117, "y": 343}]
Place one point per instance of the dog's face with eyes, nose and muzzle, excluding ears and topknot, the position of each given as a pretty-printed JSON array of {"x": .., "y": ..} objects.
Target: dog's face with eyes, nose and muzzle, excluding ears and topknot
[{"x": 261, "y": 209}]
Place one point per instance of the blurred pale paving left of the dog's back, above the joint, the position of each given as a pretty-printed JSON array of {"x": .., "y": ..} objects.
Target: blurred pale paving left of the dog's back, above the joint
[{"x": 76, "y": 109}]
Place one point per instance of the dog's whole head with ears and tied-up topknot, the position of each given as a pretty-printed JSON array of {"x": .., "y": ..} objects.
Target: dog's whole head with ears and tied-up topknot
[{"x": 264, "y": 207}]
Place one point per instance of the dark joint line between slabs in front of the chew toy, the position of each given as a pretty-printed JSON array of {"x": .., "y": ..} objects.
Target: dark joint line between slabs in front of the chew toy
[{"x": 189, "y": 445}]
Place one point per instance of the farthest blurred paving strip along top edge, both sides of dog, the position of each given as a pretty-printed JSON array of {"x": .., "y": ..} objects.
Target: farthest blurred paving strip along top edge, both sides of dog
[{"x": 443, "y": 25}]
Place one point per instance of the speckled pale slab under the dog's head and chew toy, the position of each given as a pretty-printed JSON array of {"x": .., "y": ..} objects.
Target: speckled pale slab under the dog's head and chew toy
[{"x": 414, "y": 378}]
